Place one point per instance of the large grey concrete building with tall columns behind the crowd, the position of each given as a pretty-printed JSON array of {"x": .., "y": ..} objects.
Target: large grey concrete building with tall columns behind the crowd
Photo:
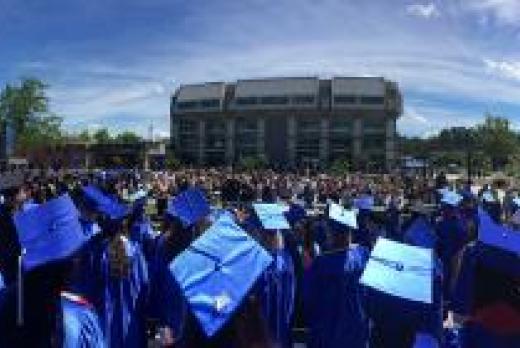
[{"x": 298, "y": 121}]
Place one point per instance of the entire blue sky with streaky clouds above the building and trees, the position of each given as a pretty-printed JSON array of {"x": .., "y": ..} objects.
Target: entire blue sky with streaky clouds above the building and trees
[{"x": 115, "y": 63}]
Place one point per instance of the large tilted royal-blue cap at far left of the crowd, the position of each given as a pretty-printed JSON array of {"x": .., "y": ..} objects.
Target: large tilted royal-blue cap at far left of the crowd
[{"x": 49, "y": 232}]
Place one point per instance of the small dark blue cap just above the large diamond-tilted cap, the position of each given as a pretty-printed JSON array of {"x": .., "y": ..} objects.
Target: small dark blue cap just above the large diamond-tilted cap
[{"x": 190, "y": 206}]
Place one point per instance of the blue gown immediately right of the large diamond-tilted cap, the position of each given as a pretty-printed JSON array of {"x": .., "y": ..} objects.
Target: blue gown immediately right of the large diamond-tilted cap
[{"x": 276, "y": 289}]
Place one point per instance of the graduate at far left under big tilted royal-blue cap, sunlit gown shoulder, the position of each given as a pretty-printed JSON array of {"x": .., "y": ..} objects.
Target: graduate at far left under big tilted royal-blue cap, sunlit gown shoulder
[{"x": 50, "y": 236}]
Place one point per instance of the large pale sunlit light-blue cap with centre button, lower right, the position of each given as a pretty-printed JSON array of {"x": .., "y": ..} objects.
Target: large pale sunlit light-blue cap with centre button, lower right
[{"x": 401, "y": 271}]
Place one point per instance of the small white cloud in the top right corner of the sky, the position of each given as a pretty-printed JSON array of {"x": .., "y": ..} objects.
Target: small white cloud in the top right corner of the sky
[{"x": 505, "y": 11}]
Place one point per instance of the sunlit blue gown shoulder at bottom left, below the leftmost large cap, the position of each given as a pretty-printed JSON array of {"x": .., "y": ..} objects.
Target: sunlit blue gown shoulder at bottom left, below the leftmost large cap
[{"x": 81, "y": 327}]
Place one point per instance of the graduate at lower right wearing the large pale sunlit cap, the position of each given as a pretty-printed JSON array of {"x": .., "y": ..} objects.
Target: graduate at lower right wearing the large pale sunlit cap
[{"x": 401, "y": 296}]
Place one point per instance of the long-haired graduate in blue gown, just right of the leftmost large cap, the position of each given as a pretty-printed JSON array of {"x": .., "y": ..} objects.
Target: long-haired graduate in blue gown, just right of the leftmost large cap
[{"x": 121, "y": 277}]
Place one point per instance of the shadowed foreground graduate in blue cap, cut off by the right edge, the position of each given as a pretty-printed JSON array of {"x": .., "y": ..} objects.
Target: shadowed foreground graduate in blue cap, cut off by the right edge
[{"x": 489, "y": 315}]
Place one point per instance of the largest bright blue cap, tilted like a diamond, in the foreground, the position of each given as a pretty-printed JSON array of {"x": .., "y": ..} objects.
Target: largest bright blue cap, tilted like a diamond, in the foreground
[{"x": 217, "y": 271}]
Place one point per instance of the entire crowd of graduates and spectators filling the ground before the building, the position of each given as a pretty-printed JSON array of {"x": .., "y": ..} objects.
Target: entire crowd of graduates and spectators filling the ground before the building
[{"x": 216, "y": 258}]
